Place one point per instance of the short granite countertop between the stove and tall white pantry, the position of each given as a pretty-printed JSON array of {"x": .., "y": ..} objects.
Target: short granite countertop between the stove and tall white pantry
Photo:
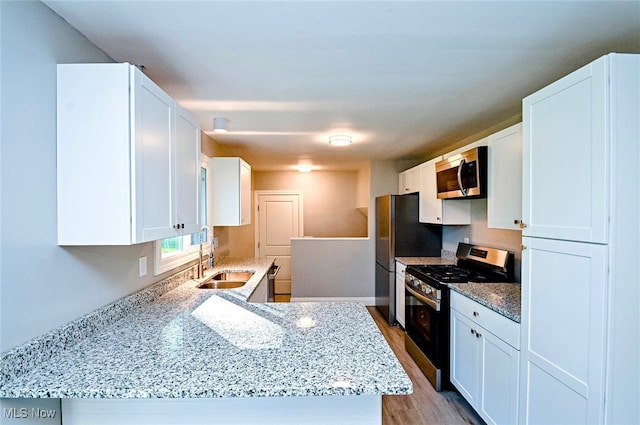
[{"x": 503, "y": 298}]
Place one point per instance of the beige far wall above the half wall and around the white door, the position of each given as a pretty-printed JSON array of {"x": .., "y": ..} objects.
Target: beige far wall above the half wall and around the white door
[{"x": 330, "y": 200}]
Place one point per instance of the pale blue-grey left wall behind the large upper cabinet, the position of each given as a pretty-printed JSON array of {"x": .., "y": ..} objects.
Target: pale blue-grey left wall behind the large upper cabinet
[{"x": 42, "y": 285}]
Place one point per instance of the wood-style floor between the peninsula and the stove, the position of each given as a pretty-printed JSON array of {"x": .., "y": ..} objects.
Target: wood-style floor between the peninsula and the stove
[{"x": 425, "y": 406}]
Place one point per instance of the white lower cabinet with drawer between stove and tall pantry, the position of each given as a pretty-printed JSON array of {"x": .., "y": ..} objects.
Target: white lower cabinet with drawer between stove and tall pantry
[{"x": 485, "y": 359}]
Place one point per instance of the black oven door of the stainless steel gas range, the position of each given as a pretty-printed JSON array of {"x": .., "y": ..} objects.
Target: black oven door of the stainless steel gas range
[{"x": 427, "y": 327}]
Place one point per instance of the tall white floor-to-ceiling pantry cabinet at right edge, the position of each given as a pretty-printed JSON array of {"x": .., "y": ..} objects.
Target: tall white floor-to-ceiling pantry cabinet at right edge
[{"x": 580, "y": 290}]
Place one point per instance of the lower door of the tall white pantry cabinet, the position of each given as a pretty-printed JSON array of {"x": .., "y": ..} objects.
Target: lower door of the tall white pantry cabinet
[{"x": 563, "y": 331}]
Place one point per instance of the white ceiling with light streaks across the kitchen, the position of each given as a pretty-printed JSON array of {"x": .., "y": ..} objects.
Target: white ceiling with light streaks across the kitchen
[{"x": 406, "y": 79}]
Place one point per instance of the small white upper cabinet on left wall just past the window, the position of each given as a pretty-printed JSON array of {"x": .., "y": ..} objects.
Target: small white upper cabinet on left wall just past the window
[{"x": 231, "y": 192}]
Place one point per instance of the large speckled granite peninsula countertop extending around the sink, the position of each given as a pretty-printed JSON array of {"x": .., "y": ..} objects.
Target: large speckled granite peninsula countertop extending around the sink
[{"x": 203, "y": 343}]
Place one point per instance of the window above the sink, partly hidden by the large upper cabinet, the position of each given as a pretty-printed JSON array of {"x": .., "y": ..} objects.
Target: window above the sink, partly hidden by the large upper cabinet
[{"x": 174, "y": 252}]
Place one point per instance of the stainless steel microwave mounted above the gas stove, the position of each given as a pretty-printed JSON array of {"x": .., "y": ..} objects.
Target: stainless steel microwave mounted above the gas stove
[{"x": 463, "y": 175}]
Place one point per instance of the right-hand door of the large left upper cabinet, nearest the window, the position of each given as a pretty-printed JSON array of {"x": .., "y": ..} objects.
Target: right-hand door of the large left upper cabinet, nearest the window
[{"x": 187, "y": 172}]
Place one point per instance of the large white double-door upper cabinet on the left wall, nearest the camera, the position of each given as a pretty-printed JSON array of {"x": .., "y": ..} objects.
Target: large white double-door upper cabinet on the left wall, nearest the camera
[{"x": 127, "y": 158}]
